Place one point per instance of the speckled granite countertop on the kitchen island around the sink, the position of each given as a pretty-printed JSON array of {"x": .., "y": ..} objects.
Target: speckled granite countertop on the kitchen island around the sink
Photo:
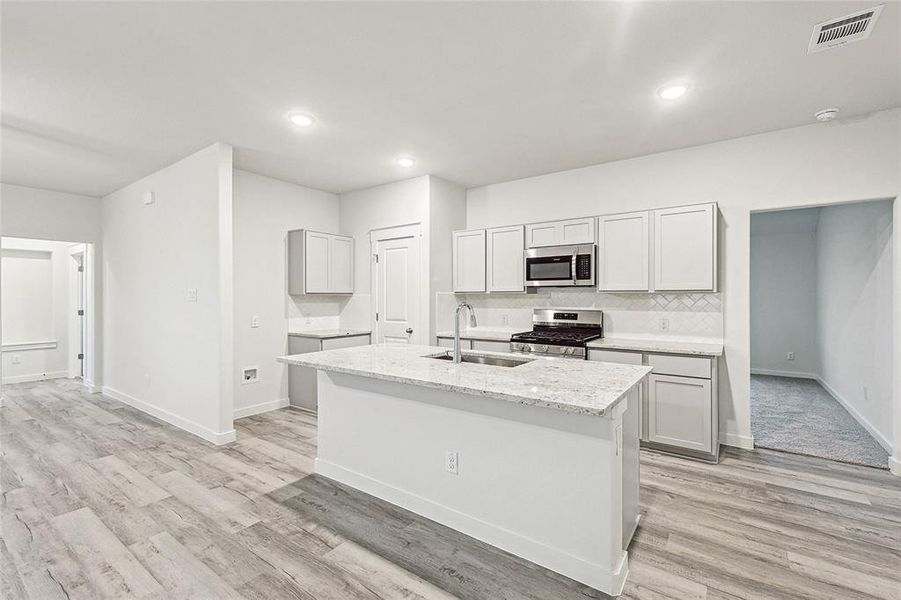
[{"x": 576, "y": 386}]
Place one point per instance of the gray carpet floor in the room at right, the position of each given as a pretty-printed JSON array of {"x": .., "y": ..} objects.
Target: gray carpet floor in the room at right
[{"x": 798, "y": 415}]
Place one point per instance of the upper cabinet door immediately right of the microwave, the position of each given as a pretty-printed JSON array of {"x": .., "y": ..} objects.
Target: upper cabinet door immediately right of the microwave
[{"x": 623, "y": 252}]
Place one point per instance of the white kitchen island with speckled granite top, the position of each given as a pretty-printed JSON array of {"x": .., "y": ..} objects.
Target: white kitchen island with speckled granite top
[{"x": 537, "y": 456}]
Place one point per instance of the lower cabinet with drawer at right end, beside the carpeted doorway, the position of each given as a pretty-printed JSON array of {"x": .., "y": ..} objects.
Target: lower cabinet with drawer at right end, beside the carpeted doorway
[{"x": 680, "y": 412}]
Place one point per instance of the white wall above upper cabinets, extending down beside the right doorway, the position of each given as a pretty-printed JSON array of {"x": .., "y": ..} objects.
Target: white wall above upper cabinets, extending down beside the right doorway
[{"x": 812, "y": 165}]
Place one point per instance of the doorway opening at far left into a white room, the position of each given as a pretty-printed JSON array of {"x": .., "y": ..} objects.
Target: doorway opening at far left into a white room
[{"x": 44, "y": 310}]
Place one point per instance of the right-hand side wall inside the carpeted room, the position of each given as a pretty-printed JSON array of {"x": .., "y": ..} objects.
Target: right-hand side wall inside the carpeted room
[{"x": 854, "y": 260}]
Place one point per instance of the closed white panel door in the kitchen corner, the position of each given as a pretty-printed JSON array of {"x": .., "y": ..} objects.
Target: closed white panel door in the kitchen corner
[{"x": 398, "y": 290}]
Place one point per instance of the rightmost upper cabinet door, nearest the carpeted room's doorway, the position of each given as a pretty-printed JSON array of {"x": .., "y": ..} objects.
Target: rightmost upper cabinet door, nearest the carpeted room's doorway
[{"x": 685, "y": 248}]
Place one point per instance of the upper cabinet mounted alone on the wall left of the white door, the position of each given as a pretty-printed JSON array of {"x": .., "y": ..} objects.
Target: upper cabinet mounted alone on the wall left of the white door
[{"x": 319, "y": 263}]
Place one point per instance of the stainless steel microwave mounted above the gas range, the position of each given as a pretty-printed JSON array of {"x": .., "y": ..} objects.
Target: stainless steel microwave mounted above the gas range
[{"x": 561, "y": 266}]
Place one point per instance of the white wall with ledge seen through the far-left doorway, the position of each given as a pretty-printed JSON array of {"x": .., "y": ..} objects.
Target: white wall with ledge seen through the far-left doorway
[{"x": 35, "y": 308}]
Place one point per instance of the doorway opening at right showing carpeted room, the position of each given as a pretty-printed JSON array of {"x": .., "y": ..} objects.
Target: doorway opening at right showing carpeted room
[{"x": 822, "y": 331}]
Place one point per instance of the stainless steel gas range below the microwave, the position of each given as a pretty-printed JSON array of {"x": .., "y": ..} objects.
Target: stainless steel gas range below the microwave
[{"x": 560, "y": 332}]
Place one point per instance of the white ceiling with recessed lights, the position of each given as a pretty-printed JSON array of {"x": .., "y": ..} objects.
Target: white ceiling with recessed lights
[{"x": 96, "y": 95}]
